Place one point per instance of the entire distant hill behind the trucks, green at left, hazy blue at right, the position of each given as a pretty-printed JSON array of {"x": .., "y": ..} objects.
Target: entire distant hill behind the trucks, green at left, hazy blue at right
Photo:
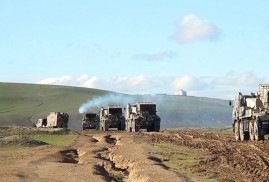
[{"x": 22, "y": 104}]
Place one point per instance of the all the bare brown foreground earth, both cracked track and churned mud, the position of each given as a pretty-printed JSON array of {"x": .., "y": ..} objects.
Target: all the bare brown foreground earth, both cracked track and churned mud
[{"x": 121, "y": 156}]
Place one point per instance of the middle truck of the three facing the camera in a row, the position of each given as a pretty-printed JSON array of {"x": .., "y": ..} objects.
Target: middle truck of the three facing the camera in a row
[{"x": 111, "y": 118}]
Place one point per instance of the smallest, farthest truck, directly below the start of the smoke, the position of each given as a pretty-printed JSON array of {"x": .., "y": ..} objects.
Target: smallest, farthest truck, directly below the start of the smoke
[{"x": 90, "y": 121}]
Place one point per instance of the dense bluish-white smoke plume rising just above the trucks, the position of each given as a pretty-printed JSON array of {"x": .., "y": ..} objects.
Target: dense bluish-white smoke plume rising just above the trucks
[{"x": 95, "y": 104}]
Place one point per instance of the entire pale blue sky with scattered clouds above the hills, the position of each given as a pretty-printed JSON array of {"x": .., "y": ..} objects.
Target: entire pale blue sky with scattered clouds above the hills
[{"x": 208, "y": 48}]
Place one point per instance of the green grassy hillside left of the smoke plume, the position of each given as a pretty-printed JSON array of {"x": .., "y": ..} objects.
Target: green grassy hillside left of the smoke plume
[{"x": 21, "y": 102}]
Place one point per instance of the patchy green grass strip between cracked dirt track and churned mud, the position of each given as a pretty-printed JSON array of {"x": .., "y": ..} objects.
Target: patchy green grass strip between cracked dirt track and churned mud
[{"x": 182, "y": 160}]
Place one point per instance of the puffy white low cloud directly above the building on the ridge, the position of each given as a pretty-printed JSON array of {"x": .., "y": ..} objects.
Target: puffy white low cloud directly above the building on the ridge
[{"x": 189, "y": 83}]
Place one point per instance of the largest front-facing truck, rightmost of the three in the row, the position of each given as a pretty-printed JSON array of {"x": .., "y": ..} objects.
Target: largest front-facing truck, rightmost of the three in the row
[{"x": 140, "y": 116}]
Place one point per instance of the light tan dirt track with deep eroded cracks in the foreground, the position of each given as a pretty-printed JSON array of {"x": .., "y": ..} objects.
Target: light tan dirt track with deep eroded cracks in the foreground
[{"x": 94, "y": 156}]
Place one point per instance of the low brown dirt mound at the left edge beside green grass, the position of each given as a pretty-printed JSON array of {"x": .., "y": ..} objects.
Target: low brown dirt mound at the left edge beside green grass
[{"x": 17, "y": 140}]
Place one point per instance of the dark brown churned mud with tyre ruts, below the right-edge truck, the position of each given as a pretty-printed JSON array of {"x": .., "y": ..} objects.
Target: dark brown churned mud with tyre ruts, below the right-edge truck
[{"x": 228, "y": 160}]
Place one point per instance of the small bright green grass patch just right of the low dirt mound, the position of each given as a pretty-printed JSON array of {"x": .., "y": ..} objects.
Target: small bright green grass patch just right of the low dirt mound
[{"x": 56, "y": 140}]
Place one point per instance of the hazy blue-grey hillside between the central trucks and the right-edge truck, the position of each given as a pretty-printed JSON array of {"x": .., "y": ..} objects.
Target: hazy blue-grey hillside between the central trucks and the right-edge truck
[{"x": 180, "y": 111}]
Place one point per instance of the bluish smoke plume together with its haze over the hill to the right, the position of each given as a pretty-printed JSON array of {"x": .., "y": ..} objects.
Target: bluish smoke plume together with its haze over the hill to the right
[{"x": 174, "y": 111}]
